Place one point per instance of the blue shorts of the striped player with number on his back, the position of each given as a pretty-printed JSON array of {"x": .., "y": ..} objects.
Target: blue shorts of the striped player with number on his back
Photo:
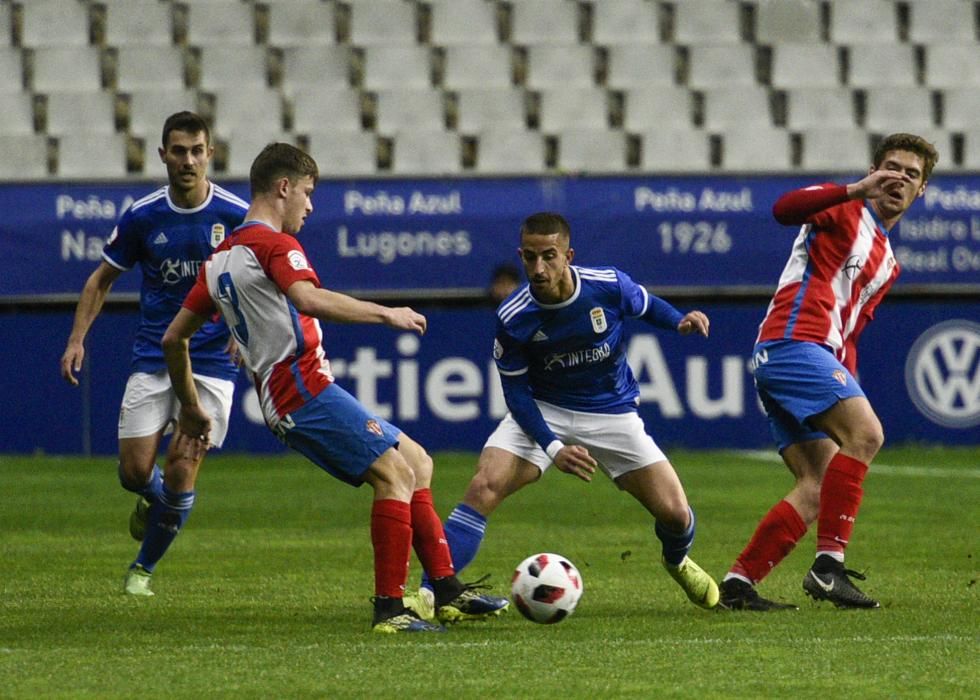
[{"x": 335, "y": 432}]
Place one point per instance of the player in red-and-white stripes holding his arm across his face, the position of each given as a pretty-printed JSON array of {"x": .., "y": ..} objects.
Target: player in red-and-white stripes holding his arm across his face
[{"x": 804, "y": 363}]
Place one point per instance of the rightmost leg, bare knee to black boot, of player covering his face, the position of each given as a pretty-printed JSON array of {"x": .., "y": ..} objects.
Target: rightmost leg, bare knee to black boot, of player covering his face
[{"x": 854, "y": 426}]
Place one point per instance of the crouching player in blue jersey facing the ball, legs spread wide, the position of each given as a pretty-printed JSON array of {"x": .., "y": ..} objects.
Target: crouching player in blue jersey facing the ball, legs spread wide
[{"x": 572, "y": 397}]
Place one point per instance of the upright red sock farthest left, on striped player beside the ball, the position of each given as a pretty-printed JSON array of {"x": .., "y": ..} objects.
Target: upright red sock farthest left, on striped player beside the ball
[{"x": 391, "y": 535}]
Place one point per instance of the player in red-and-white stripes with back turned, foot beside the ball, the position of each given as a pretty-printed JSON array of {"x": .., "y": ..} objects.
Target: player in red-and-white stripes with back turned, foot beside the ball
[{"x": 262, "y": 284}]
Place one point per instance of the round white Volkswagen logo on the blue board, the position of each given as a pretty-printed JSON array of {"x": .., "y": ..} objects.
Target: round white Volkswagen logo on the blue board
[{"x": 942, "y": 374}]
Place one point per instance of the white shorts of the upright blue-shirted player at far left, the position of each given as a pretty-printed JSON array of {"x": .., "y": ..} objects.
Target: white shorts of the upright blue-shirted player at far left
[{"x": 149, "y": 405}]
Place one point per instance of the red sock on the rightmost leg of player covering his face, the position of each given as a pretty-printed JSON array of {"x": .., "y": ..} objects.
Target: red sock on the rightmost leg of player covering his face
[{"x": 840, "y": 498}]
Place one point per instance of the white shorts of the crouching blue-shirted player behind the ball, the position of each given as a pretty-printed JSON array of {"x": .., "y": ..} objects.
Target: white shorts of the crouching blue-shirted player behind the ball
[{"x": 618, "y": 441}]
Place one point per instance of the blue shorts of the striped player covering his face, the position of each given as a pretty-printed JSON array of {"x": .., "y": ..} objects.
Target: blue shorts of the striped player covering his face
[{"x": 797, "y": 380}]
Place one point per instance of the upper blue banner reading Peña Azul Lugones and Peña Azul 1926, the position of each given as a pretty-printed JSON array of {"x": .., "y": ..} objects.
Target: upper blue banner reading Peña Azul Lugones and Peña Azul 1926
[{"x": 434, "y": 238}]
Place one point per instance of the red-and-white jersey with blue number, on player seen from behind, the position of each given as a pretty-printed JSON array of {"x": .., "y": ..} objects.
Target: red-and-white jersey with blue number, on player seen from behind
[{"x": 246, "y": 279}]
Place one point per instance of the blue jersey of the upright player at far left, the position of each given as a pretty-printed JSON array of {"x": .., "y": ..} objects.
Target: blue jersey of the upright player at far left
[{"x": 170, "y": 244}]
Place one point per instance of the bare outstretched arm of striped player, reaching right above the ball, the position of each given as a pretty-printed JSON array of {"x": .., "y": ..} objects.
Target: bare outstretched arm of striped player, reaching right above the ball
[{"x": 328, "y": 305}]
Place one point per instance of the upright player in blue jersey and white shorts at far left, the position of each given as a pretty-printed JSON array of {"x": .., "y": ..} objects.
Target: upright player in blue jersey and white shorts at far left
[{"x": 169, "y": 234}]
